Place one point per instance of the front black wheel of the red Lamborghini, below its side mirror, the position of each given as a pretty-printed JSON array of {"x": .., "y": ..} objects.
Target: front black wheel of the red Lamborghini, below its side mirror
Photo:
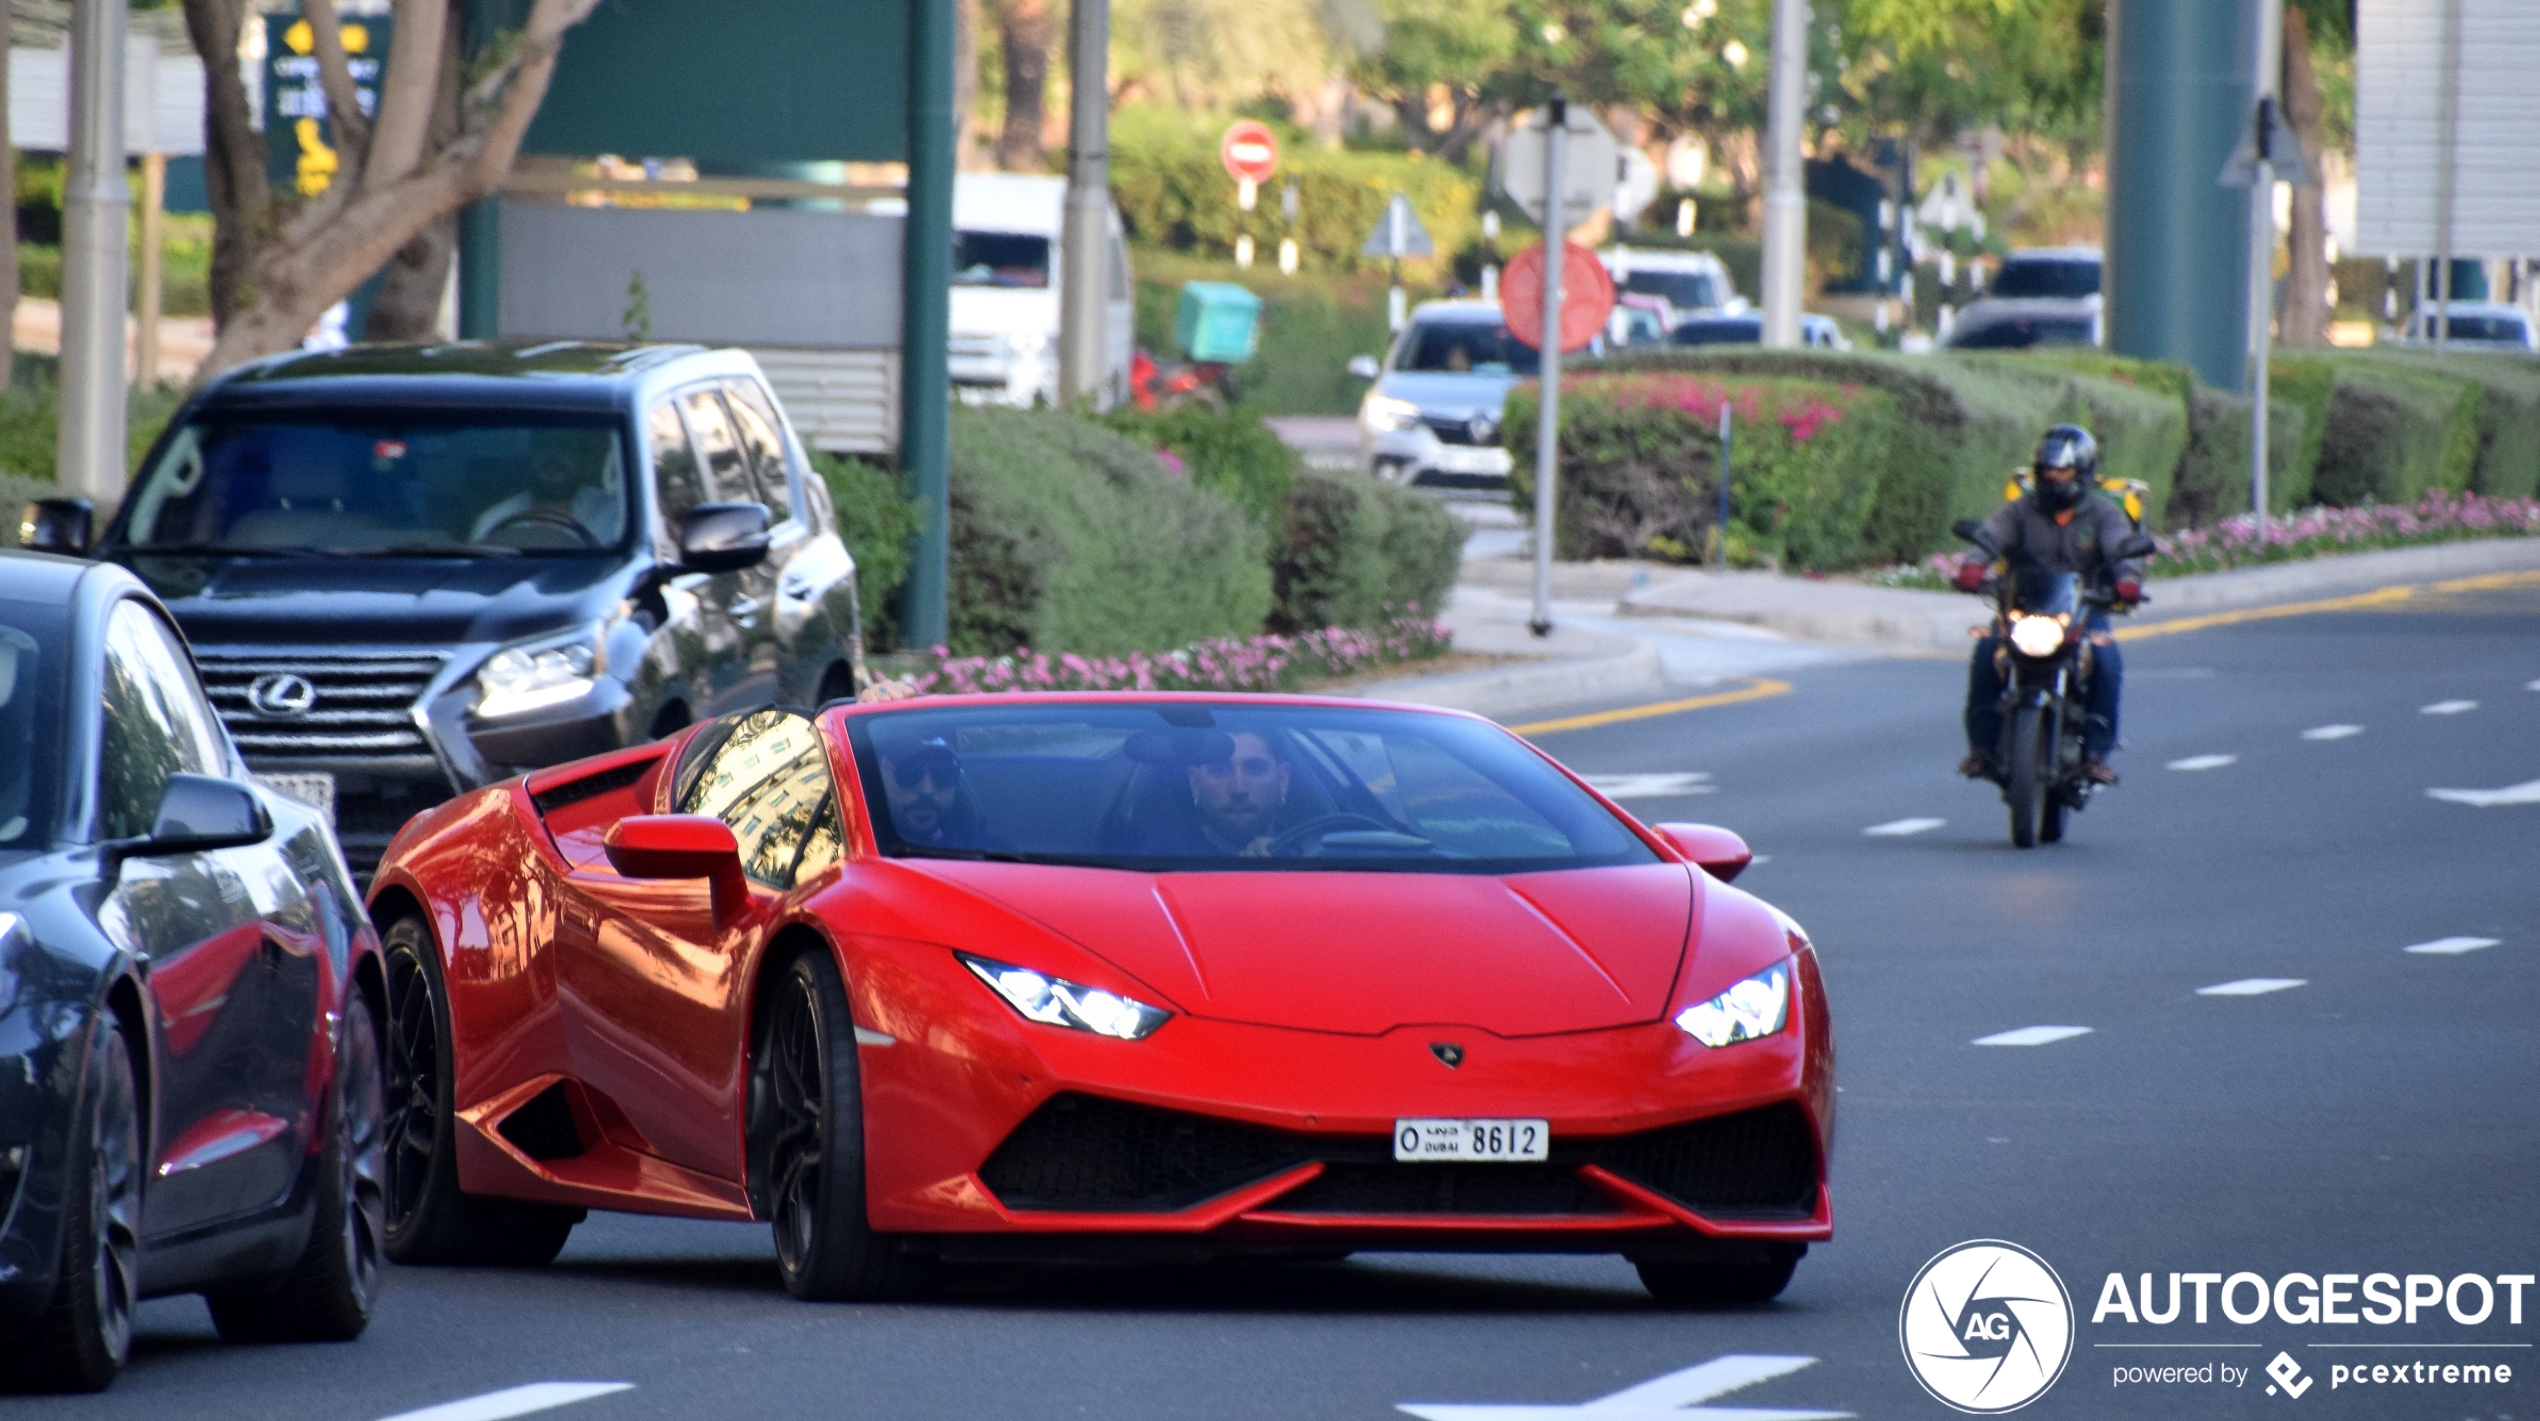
[{"x": 806, "y": 1125}]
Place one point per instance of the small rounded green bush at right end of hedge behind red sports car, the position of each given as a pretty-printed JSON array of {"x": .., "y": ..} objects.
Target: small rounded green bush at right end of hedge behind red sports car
[{"x": 1360, "y": 553}]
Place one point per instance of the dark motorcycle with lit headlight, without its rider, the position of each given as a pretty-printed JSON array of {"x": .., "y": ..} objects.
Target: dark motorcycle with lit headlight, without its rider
[{"x": 2043, "y": 652}]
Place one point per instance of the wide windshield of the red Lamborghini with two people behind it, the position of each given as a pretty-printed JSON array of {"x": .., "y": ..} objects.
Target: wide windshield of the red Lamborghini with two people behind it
[{"x": 1180, "y": 787}]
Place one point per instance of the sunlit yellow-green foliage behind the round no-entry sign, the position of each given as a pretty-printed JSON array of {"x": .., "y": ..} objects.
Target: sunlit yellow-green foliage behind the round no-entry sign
[{"x": 1175, "y": 192}]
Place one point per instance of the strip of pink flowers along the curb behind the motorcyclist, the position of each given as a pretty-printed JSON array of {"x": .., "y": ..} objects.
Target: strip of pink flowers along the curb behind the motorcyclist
[{"x": 2310, "y": 533}]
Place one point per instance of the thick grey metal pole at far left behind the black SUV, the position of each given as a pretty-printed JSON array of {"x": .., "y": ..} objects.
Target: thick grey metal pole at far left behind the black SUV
[{"x": 95, "y": 255}]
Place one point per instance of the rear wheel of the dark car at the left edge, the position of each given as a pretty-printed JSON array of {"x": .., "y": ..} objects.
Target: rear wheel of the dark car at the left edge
[{"x": 329, "y": 1293}]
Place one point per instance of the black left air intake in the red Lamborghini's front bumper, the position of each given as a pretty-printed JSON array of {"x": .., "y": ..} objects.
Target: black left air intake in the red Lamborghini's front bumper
[{"x": 1083, "y": 1153}]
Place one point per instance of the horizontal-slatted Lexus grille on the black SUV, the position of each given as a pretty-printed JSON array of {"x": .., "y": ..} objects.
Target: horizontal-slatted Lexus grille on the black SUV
[{"x": 362, "y": 710}]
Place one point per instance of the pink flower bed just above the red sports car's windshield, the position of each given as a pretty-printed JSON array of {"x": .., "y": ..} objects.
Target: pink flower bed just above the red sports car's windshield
[{"x": 1220, "y": 665}]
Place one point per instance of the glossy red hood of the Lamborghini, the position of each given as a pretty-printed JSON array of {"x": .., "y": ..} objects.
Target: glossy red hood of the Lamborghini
[{"x": 1337, "y": 952}]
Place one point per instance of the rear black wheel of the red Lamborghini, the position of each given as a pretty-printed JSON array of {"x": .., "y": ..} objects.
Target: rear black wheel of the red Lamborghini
[{"x": 425, "y": 1214}]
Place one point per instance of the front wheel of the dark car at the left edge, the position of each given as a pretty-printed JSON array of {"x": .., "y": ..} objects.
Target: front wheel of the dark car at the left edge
[{"x": 85, "y": 1333}]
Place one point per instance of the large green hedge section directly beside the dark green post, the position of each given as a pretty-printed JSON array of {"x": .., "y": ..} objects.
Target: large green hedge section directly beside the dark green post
[{"x": 1073, "y": 538}]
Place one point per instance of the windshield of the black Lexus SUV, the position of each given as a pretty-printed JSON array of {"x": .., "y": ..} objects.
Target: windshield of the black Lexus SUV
[{"x": 385, "y": 482}]
